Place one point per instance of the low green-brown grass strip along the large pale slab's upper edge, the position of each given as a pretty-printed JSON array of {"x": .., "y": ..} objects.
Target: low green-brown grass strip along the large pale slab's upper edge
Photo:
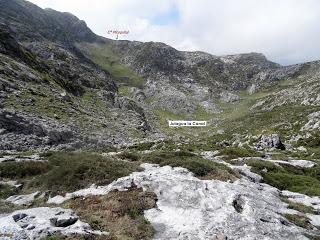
[{"x": 201, "y": 167}]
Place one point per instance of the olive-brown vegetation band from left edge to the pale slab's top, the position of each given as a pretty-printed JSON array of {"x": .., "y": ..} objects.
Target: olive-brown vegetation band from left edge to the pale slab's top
[{"x": 65, "y": 172}]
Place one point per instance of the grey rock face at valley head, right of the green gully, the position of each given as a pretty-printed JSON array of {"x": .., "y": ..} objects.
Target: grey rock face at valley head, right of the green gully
[{"x": 182, "y": 81}]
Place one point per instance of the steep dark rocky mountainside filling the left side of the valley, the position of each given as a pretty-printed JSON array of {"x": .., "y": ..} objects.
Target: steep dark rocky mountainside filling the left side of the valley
[{"x": 51, "y": 95}]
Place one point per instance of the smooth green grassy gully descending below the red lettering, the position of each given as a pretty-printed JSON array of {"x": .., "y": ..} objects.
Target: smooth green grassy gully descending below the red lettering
[{"x": 107, "y": 58}]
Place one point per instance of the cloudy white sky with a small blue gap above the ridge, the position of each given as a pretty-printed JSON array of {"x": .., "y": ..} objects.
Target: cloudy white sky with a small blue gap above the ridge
[{"x": 286, "y": 31}]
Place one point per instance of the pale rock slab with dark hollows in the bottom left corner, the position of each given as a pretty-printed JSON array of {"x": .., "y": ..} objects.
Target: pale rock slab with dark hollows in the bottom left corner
[{"x": 36, "y": 223}]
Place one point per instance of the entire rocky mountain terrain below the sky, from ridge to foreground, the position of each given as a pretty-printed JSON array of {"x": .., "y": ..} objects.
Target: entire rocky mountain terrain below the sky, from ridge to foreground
[{"x": 78, "y": 109}]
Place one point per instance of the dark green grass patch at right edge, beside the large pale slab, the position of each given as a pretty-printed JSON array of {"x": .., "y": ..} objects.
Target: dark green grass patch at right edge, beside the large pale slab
[{"x": 285, "y": 177}]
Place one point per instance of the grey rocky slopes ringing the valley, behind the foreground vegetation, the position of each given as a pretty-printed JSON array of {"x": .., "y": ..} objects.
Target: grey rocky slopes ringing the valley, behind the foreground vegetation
[{"x": 57, "y": 74}]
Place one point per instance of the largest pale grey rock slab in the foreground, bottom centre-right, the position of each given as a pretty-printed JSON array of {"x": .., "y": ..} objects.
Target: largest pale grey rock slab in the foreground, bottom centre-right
[{"x": 190, "y": 208}]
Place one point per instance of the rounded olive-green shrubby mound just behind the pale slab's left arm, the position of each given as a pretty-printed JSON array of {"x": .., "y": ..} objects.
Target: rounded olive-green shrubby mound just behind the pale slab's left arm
[{"x": 71, "y": 171}]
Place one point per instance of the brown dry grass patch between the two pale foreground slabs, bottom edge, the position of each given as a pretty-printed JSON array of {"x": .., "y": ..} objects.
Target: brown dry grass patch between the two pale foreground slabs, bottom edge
[{"x": 120, "y": 213}]
